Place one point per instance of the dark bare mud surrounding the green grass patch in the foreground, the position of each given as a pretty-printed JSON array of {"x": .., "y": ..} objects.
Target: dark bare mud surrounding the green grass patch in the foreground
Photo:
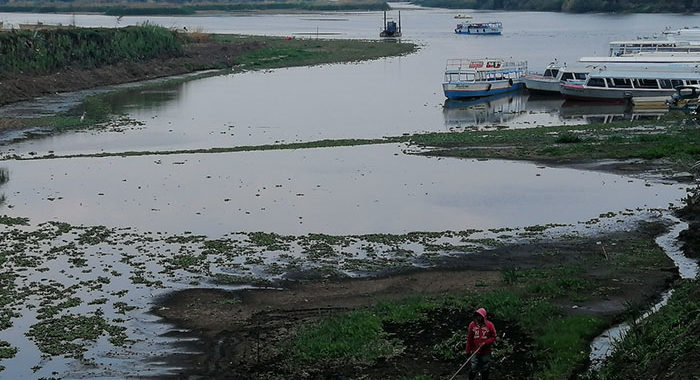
[{"x": 240, "y": 332}]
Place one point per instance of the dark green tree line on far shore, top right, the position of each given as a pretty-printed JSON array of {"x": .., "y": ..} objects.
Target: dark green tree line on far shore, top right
[{"x": 569, "y": 5}]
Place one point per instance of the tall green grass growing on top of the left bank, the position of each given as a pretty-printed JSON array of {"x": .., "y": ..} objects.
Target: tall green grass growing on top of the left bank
[{"x": 44, "y": 51}]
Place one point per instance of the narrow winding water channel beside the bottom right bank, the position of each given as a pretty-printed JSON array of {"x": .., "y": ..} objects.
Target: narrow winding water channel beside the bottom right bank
[{"x": 604, "y": 344}]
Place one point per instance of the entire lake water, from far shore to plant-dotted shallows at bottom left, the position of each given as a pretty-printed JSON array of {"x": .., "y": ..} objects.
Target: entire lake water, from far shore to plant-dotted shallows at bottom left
[{"x": 340, "y": 191}]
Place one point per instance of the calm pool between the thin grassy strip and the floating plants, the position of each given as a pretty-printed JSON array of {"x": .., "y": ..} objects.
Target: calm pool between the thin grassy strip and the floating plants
[{"x": 348, "y": 190}]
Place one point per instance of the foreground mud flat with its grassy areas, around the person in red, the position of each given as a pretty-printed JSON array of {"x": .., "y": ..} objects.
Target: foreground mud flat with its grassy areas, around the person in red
[{"x": 253, "y": 333}]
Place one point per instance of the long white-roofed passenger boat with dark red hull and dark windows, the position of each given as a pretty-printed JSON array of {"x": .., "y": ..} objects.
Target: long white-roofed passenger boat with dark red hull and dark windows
[{"x": 622, "y": 85}]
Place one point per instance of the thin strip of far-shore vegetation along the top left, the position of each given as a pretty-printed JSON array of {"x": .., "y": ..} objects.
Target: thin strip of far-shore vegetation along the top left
[{"x": 133, "y": 8}]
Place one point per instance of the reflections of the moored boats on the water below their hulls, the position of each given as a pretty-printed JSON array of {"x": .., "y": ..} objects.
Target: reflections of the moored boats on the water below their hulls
[{"x": 521, "y": 110}]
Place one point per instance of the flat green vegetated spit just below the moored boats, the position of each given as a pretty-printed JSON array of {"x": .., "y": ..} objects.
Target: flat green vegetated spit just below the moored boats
[{"x": 678, "y": 141}]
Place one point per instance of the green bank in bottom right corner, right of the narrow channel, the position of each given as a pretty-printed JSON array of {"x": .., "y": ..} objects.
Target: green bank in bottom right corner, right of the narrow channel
[{"x": 664, "y": 343}]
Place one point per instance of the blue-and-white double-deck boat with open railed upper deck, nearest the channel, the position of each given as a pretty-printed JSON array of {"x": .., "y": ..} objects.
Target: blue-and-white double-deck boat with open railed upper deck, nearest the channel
[{"x": 471, "y": 78}]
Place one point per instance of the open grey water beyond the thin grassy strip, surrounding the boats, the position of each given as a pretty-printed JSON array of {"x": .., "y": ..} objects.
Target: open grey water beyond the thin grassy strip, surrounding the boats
[{"x": 386, "y": 97}]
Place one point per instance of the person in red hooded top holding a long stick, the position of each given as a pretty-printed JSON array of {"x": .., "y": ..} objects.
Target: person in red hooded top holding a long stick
[{"x": 480, "y": 337}]
